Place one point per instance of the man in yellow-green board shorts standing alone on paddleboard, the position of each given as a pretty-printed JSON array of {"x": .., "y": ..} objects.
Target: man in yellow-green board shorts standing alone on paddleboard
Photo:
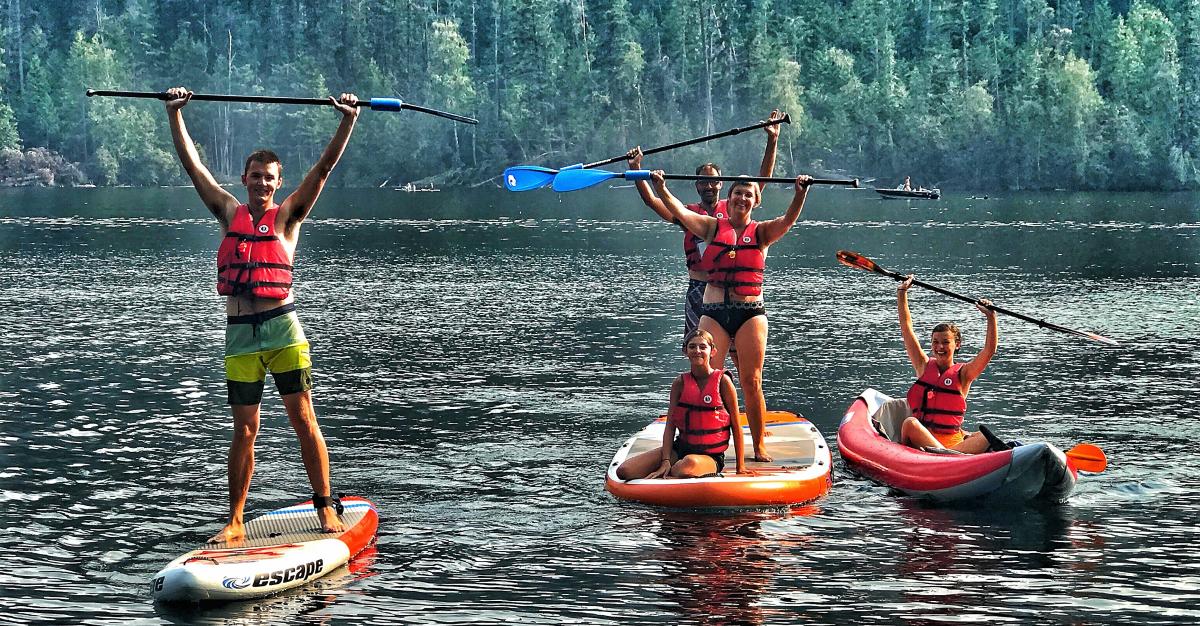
[{"x": 259, "y": 242}]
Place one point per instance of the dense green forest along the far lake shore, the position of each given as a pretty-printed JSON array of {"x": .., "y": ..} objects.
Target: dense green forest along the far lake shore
[{"x": 976, "y": 95}]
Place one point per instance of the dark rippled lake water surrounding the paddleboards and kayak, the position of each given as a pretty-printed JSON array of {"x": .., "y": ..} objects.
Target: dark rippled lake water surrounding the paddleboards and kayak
[{"x": 481, "y": 356}]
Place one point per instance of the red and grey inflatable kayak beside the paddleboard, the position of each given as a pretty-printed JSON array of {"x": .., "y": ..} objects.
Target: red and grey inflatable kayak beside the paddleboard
[{"x": 1033, "y": 472}]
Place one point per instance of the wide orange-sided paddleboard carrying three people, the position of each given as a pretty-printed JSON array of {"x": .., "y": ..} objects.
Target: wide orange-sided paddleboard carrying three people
[{"x": 800, "y": 473}]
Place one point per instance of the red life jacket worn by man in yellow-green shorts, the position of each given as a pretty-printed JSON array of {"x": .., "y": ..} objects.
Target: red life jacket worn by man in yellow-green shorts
[{"x": 253, "y": 260}]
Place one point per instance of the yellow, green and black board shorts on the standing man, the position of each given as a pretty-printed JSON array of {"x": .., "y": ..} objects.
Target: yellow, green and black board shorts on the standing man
[{"x": 272, "y": 341}]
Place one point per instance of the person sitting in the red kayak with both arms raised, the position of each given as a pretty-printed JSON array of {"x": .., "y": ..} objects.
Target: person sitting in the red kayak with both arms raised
[{"x": 939, "y": 398}]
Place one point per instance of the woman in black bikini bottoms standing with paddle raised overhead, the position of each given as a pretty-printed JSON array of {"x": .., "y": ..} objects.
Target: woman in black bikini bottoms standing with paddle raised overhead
[{"x": 735, "y": 257}]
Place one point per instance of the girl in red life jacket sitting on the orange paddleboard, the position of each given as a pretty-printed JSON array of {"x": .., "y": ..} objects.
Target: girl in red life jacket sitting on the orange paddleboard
[{"x": 704, "y": 412}]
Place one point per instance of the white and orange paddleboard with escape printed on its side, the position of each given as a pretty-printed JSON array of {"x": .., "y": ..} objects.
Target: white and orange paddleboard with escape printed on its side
[{"x": 284, "y": 550}]
